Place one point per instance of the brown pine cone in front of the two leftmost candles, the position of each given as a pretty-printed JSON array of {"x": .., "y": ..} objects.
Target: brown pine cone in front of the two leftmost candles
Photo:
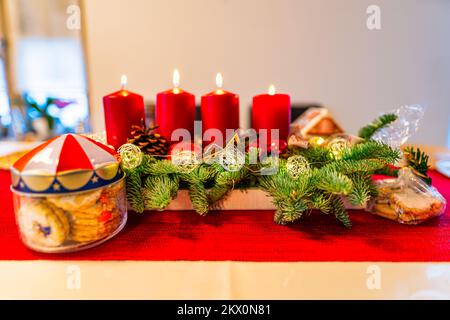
[{"x": 148, "y": 141}]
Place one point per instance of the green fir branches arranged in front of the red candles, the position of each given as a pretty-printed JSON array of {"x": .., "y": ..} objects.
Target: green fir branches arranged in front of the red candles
[{"x": 318, "y": 177}]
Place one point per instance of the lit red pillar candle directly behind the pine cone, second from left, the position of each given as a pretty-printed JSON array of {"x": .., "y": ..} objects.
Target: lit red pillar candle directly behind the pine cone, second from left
[{"x": 175, "y": 109}]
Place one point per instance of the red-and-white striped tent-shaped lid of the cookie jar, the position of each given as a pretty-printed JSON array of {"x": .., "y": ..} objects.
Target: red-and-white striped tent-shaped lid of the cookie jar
[{"x": 67, "y": 163}]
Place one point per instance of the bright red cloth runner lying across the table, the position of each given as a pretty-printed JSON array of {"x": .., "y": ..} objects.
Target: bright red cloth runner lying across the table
[{"x": 250, "y": 236}]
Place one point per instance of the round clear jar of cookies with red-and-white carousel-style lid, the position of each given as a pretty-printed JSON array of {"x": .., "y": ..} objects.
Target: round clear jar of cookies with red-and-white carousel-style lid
[{"x": 69, "y": 194}]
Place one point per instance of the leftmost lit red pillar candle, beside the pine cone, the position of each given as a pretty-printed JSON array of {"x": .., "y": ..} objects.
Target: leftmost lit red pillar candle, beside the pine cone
[{"x": 122, "y": 109}]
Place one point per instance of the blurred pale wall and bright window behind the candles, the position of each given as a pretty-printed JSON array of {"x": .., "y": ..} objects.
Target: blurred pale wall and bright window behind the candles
[{"x": 58, "y": 58}]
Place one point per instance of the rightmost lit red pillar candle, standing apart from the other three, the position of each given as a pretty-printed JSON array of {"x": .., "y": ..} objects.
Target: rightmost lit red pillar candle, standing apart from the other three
[{"x": 272, "y": 111}]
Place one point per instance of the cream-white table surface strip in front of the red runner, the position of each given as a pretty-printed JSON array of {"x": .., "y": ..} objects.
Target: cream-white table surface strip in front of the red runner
[{"x": 222, "y": 280}]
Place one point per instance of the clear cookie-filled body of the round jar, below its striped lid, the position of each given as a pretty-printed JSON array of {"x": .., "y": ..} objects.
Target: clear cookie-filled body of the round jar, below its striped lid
[{"x": 72, "y": 221}]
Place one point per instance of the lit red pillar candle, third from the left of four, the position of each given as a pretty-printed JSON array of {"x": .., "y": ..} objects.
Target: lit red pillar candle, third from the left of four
[{"x": 220, "y": 110}]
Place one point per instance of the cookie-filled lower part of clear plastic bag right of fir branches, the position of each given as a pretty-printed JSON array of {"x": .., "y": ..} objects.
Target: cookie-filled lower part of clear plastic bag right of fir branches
[{"x": 407, "y": 199}]
